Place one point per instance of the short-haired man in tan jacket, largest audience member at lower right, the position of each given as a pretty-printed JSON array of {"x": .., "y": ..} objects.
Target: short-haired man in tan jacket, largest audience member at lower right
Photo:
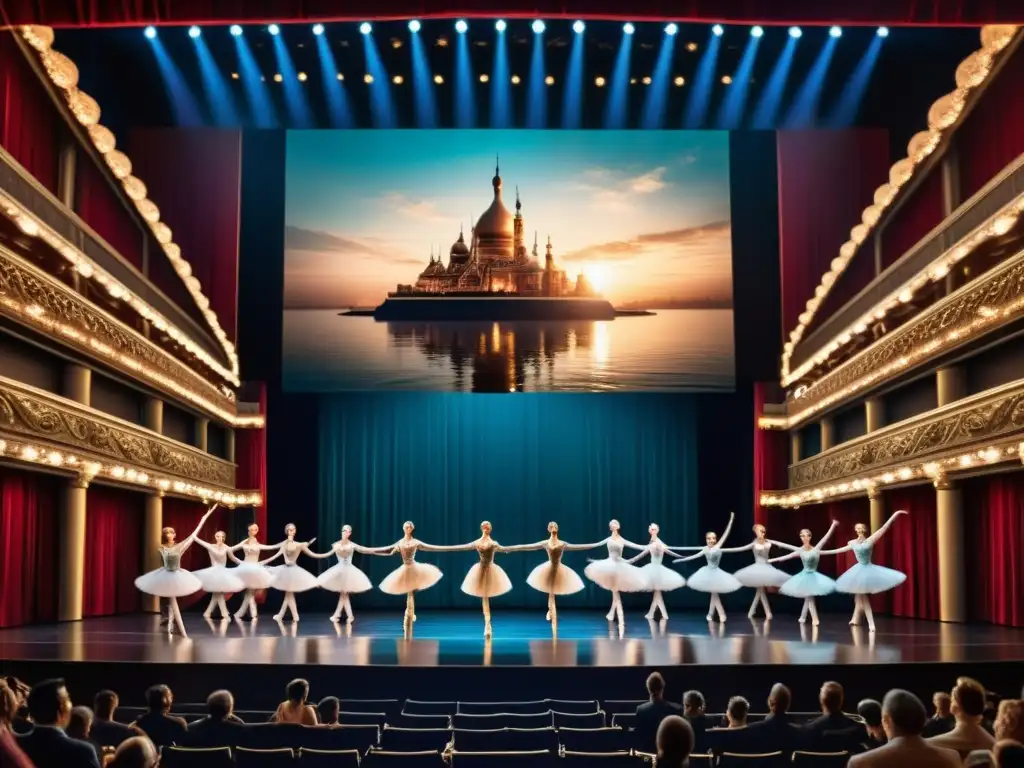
[{"x": 904, "y": 718}]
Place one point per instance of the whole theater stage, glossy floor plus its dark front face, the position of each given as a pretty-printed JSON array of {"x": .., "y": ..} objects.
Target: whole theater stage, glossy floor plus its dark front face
[{"x": 587, "y": 660}]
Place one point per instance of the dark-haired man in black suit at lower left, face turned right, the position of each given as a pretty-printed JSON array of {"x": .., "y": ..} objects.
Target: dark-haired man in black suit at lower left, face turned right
[{"x": 47, "y": 744}]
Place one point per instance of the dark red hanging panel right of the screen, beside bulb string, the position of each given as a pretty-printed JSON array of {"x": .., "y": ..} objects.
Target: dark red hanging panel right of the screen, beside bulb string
[{"x": 826, "y": 181}]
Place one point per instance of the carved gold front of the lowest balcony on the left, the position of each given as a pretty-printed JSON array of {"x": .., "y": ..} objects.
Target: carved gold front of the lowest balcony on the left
[{"x": 29, "y": 414}]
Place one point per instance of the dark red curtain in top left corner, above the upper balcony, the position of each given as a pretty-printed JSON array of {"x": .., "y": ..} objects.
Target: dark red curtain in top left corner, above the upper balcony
[{"x": 28, "y": 119}]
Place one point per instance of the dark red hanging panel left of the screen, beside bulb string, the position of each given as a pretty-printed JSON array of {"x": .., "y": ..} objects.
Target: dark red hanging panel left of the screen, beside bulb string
[{"x": 194, "y": 176}]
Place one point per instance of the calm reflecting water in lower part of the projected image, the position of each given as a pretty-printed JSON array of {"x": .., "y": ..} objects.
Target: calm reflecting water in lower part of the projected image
[{"x": 680, "y": 350}]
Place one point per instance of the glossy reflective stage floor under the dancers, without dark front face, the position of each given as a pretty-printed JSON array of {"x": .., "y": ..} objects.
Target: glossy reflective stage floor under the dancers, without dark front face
[{"x": 522, "y": 639}]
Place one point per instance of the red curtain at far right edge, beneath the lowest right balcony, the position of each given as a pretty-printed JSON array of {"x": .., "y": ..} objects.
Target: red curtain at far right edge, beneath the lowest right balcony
[{"x": 994, "y": 509}]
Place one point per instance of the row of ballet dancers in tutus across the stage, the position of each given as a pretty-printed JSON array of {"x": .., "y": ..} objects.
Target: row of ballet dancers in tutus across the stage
[{"x": 487, "y": 580}]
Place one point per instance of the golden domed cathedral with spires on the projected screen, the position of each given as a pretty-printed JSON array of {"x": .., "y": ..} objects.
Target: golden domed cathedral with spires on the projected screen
[{"x": 496, "y": 261}]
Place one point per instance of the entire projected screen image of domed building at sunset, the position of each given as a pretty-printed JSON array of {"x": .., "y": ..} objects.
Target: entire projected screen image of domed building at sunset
[{"x": 508, "y": 262}]
